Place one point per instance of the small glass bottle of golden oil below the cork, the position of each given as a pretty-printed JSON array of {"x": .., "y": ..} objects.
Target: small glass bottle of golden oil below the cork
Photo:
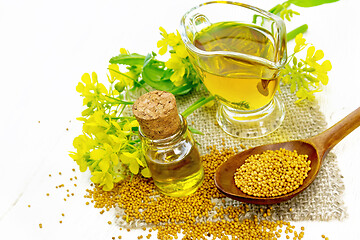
[{"x": 174, "y": 161}]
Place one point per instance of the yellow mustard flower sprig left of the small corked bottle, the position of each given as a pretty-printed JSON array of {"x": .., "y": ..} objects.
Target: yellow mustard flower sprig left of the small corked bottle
[{"x": 109, "y": 146}]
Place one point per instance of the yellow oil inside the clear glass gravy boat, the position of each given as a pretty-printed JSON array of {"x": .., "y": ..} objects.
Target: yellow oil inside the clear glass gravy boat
[{"x": 247, "y": 85}]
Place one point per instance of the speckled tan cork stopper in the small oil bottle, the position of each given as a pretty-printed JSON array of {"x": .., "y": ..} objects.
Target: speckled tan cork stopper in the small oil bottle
[{"x": 157, "y": 114}]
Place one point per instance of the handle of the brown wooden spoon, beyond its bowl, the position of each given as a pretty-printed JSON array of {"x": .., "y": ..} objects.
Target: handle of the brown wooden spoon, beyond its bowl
[{"x": 332, "y": 136}]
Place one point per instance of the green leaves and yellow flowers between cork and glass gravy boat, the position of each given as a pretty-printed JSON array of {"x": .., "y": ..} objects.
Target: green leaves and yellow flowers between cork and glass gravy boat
[{"x": 177, "y": 75}]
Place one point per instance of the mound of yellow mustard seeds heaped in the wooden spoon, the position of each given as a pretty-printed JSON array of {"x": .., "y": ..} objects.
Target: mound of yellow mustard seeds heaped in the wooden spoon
[{"x": 272, "y": 173}]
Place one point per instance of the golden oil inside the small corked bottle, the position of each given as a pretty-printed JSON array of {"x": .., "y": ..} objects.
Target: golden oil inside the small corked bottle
[{"x": 176, "y": 173}]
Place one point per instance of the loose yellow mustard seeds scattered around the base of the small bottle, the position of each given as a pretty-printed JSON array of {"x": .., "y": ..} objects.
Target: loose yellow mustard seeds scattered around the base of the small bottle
[{"x": 228, "y": 223}]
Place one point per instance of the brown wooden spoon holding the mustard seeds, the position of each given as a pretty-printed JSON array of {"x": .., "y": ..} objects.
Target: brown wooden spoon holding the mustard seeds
[{"x": 315, "y": 147}]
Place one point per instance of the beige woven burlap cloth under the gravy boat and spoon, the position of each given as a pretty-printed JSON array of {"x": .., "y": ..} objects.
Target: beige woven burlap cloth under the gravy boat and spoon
[{"x": 321, "y": 201}]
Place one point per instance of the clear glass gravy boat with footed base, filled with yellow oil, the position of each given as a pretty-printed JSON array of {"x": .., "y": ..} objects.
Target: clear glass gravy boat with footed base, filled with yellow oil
[{"x": 239, "y": 51}]
